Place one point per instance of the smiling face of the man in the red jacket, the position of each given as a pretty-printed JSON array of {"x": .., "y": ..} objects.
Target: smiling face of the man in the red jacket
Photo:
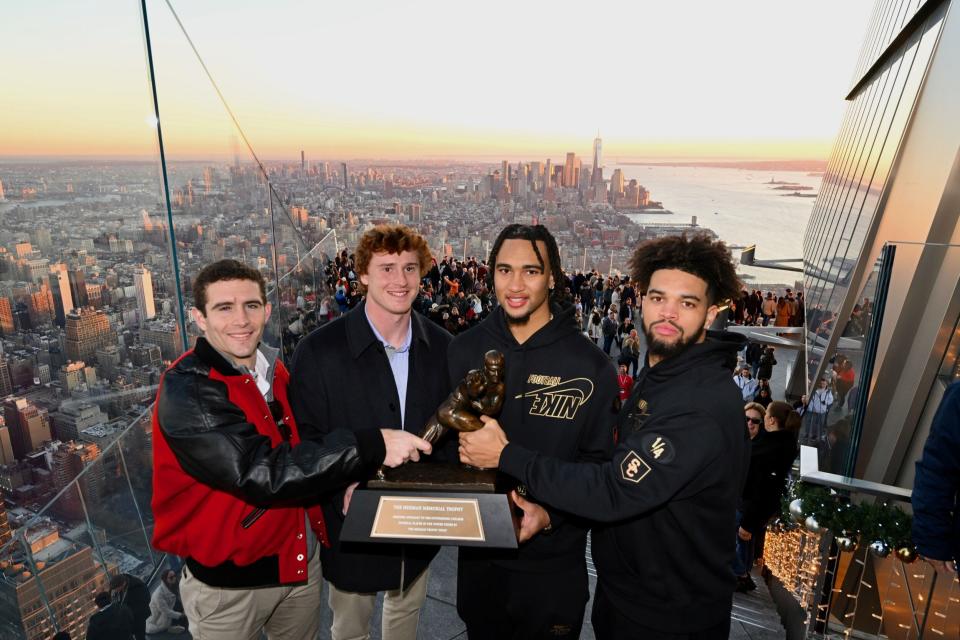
[{"x": 233, "y": 319}]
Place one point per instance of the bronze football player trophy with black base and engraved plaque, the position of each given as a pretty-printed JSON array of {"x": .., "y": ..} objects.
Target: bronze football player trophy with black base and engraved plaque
[{"x": 439, "y": 503}]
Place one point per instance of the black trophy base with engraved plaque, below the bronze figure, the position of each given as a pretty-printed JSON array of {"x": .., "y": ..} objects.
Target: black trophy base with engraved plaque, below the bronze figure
[{"x": 438, "y": 504}]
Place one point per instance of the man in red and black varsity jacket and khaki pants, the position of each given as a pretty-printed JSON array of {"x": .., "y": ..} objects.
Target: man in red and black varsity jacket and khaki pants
[{"x": 235, "y": 489}]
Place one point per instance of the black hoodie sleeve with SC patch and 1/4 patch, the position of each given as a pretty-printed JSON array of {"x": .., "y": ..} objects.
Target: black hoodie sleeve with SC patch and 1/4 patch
[{"x": 648, "y": 468}]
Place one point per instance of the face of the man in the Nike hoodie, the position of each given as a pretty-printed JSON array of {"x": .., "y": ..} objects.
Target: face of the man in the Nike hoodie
[{"x": 522, "y": 284}]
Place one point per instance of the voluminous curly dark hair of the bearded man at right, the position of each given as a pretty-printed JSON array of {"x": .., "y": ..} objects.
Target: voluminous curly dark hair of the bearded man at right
[{"x": 697, "y": 254}]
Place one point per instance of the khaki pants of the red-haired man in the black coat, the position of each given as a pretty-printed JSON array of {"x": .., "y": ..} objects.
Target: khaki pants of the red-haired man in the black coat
[{"x": 401, "y": 612}]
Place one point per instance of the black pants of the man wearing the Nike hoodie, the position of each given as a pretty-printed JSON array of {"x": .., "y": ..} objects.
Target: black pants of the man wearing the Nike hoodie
[{"x": 499, "y": 604}]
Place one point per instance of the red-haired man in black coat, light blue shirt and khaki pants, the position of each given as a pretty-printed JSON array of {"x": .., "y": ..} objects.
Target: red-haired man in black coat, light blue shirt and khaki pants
[{"x": 396, "y": 361}]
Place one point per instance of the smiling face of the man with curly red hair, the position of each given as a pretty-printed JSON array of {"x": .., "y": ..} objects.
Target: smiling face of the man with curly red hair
[{"x": 392, "y": 281}]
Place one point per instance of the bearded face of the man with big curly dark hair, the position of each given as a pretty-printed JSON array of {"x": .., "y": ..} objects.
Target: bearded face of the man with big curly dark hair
[{"x": 676, "y": 313}]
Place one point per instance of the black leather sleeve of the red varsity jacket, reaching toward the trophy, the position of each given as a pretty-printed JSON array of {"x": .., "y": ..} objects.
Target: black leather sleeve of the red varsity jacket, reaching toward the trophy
[{"x": 215, "y": 444}]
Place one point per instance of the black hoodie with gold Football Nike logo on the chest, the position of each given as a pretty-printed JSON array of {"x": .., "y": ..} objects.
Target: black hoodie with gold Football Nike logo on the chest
[{"x": 559, "y": 400}]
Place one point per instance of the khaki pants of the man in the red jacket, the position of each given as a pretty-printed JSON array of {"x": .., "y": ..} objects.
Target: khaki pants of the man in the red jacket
[{"x": 283, "y": 613}]
